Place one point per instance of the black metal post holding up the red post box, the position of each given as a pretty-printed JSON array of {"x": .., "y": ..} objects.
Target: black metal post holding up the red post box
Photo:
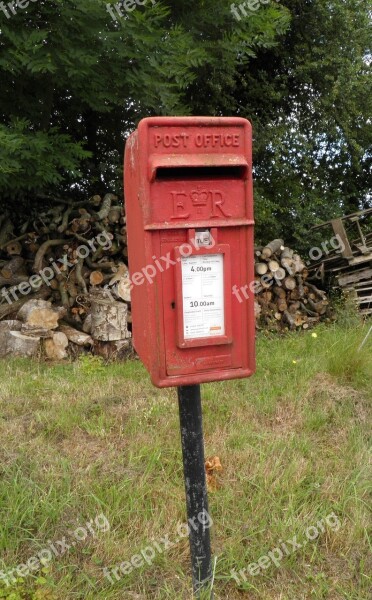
[{"x": 191, "y": 423}]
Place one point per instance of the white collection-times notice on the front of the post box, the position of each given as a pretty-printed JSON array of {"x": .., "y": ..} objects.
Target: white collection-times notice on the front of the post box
[{"x": 203, "y": 296}]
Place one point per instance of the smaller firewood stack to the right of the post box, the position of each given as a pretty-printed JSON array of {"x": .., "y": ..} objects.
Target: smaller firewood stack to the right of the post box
[{"x": 285, "y": 299}]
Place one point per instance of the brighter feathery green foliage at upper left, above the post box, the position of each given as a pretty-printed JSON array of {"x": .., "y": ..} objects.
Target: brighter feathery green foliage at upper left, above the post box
[{"x": 75, "y": 82}]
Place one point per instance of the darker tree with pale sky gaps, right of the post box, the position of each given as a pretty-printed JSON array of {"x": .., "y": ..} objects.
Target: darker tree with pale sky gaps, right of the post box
[{"x": 310, "y": 99}]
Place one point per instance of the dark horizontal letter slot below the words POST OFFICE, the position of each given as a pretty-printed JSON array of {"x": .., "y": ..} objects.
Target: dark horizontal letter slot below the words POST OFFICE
[{"x": 202, "y": 172}]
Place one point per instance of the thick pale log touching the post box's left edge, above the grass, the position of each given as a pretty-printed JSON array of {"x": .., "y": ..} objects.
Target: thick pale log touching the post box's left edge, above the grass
[{"x": 109, "y": 320}]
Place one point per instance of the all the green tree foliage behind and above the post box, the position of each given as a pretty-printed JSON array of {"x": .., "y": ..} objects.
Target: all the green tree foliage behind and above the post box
[{"x": 75, "y": 82}]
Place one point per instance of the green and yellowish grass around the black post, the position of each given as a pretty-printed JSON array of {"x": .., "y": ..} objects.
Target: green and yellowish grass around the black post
[{"x": 84, "y": 439}]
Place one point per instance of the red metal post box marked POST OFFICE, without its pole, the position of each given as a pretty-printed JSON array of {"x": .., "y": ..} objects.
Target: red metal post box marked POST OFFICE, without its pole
[{"x": 189, "y": 207}]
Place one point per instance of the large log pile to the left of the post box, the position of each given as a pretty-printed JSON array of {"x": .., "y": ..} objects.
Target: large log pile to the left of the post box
[{"x": 64, "y": 279}]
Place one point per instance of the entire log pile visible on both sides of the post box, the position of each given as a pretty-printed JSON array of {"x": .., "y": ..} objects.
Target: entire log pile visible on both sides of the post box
[{"x": 65, "y": 287}]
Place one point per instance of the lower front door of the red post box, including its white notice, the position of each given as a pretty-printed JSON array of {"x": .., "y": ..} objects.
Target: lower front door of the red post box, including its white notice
[{"x": 198, "y": 352}]
